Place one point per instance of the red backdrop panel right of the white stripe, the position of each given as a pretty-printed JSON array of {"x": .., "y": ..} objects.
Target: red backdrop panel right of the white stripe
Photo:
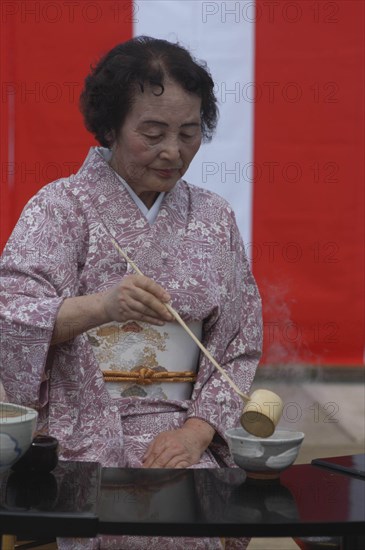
[{"x": 308, "y": 207}]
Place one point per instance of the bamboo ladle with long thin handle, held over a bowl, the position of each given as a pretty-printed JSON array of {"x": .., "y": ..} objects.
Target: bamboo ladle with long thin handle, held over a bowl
[{"x": 263, "y": 409}]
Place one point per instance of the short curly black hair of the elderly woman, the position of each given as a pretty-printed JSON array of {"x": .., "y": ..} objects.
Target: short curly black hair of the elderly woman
[{"x": 110, "y": 87}]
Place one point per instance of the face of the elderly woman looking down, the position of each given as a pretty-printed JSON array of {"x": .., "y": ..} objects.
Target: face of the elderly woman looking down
[{"x": 158, "y": 140}]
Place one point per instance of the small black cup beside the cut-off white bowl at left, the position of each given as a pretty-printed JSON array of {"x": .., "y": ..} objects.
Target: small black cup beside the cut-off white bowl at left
[{"x": 41, "y": 457}]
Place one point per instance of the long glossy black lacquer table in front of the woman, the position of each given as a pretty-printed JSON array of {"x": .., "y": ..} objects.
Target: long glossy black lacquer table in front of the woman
[{"x": 80, "y": 499}]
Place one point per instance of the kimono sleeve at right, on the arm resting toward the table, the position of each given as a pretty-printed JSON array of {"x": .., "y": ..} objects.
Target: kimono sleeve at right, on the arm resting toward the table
[{"x": 234, "y": 338}]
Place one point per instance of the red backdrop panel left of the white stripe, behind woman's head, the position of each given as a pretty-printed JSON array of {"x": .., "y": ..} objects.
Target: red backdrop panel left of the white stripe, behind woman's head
[{"x": 46, "y": 49}]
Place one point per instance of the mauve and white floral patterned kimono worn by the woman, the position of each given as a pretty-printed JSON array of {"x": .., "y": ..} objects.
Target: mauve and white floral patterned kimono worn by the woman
[{"x": 63, "y": 246}]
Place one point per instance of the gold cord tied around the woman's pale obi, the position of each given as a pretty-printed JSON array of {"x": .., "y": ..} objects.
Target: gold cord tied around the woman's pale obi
[{"x": 146, "y": 375}]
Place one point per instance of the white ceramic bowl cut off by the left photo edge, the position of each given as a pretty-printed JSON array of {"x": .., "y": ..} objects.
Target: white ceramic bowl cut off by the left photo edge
[{"x": 17, "y": 428}]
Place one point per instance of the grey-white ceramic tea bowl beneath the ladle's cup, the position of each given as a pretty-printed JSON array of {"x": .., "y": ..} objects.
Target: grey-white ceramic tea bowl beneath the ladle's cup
[{"x": 264, "y": 457}]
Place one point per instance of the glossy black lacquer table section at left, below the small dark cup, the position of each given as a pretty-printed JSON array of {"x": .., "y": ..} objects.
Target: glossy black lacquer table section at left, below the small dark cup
[{"x": 63, "y": 502}]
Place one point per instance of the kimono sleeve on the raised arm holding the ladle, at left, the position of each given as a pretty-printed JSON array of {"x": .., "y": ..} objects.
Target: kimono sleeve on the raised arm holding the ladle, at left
[{"x": 39, "y": 268}]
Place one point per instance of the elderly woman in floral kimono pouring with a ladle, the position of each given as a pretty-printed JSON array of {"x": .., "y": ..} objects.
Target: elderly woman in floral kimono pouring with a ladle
[{"x": 87, "y": 340}]
